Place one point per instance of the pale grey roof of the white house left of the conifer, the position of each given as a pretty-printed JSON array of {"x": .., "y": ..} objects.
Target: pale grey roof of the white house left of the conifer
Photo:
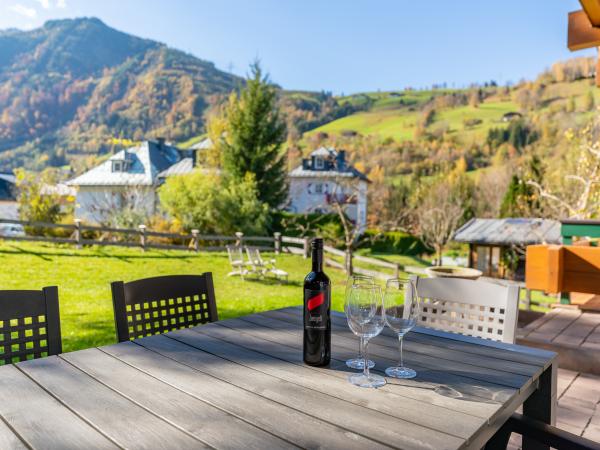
[{"x": 146, "y": 162}]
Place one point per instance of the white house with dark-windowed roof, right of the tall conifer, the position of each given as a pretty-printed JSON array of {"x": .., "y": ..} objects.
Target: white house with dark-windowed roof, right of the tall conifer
[{"x": 322, "y": 176}]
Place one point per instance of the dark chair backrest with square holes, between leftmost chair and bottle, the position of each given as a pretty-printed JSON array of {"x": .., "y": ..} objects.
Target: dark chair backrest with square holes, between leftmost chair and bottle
[{"x": 161, "y": 304}]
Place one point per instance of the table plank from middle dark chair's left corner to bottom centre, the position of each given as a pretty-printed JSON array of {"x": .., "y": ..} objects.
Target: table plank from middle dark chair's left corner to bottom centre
[{"x": 302, "y": 429}]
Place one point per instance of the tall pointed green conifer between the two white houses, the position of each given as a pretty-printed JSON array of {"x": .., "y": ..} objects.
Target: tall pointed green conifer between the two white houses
[{"x": 252, "y": 137}]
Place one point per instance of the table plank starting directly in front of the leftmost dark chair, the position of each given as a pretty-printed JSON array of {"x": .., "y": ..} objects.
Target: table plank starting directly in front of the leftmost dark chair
[{"x": 115, "y": 416}]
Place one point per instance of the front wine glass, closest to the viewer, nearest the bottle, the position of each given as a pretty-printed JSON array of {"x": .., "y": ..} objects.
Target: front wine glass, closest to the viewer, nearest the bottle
[{"x": 366, "y": 319}]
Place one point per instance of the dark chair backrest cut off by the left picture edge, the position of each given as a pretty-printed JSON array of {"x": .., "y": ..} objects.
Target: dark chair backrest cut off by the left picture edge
[{"x": 29, "y": 324}]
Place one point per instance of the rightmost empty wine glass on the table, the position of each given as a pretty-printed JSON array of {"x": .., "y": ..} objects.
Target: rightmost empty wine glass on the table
[{"x": 401, "y": 305}]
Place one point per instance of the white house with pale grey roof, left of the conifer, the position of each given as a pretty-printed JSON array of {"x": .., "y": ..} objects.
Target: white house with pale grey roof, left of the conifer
[{"x": 131, "y": 176}]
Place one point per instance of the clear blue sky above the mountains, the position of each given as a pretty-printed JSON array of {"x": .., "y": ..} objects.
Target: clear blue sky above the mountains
[{"x": 342, "y": 46}]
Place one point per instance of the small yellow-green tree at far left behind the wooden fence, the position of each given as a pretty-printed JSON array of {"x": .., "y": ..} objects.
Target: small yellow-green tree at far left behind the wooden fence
[{"x": 34, "y": 204}]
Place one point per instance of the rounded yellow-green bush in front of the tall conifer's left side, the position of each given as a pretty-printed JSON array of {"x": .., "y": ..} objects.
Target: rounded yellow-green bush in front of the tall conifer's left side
[{"x": 213, "y": 204}]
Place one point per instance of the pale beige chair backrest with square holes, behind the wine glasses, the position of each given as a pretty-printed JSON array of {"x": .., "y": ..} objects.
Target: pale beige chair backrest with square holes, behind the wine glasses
[{"x": 471, "y": 307}]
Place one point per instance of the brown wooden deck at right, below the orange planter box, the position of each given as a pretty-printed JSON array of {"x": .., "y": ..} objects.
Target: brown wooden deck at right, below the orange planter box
[{"x": 572, "y": 333}]
